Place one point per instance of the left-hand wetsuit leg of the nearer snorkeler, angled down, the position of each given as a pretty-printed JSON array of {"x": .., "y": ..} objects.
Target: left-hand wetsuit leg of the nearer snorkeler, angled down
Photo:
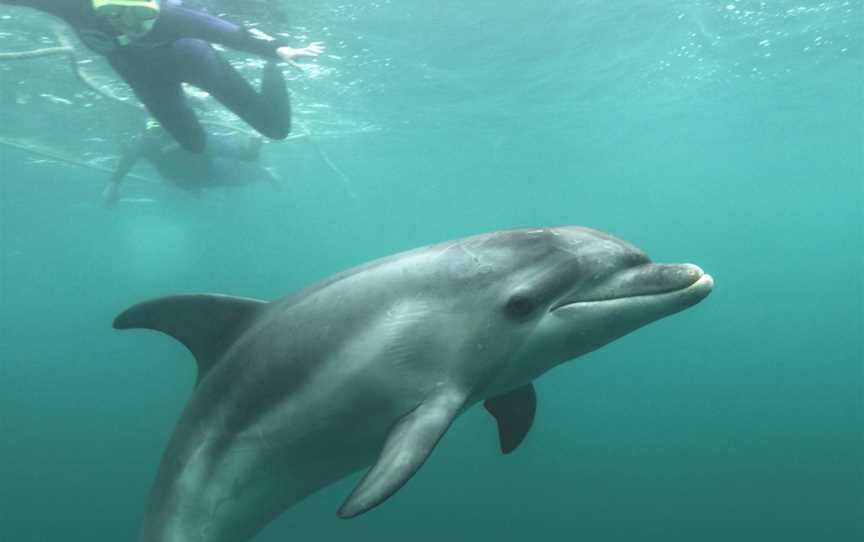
[{"x": 159, "y": 88}]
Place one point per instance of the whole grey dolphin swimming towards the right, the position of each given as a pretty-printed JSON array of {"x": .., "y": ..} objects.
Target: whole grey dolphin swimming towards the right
[{"x": 372, "y": 365}]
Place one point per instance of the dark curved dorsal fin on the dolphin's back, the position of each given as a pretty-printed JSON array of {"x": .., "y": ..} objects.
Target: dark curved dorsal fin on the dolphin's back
[{"x": 207, "y": 324}]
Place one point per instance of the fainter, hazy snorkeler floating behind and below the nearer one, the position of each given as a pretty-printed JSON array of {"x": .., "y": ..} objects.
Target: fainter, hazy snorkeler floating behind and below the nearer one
[{"x": 229, "y": 160}]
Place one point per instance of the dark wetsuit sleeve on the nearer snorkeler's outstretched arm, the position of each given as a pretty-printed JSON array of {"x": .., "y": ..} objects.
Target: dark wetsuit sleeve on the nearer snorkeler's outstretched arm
[{"x": 187, "y": 23}]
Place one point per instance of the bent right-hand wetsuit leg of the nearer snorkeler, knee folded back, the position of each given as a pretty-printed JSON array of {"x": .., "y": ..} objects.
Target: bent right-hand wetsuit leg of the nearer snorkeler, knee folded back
[{"x": 269, "y": 111}]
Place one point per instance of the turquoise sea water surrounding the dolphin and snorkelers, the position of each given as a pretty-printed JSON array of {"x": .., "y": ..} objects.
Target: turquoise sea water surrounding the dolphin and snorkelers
[{"x": 728, "y": 134}]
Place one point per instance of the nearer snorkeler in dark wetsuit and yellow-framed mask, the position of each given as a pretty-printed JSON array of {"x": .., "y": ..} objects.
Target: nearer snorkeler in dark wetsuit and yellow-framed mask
[{"x": 156, "y": 45}]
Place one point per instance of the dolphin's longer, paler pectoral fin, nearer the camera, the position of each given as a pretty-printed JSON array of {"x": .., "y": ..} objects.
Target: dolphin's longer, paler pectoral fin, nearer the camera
[{"x": 408, "y": 445}]
